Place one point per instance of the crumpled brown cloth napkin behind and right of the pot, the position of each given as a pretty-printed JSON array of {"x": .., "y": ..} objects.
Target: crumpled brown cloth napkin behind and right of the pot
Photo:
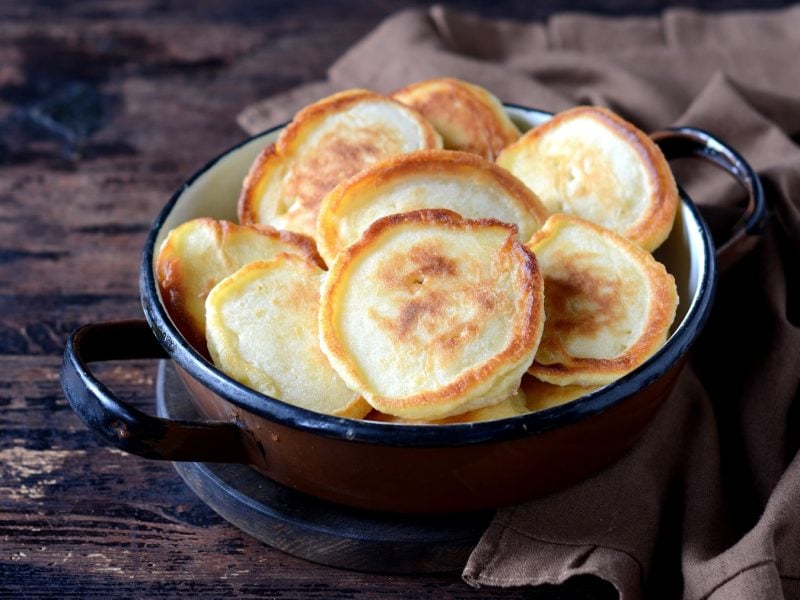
[{"x": 707, "y": 503}]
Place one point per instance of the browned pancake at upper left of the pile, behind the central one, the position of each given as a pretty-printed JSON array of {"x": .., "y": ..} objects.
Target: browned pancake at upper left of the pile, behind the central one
[{"x": 325, "y": 143}]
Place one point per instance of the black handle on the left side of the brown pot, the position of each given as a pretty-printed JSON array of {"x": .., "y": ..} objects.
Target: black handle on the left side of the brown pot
[{"x": 124, "y": 426}]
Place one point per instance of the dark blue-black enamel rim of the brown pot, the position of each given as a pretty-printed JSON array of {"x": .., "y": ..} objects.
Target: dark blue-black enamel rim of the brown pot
[{"x": 419, "y": 435}]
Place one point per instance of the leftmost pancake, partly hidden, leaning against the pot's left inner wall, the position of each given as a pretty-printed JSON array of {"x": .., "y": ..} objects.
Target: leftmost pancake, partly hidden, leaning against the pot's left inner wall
[{"x": 198, "y": 254}]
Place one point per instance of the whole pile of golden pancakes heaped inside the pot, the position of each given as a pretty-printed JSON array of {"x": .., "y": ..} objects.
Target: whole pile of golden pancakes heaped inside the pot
[{"x": 415, "y": 258}]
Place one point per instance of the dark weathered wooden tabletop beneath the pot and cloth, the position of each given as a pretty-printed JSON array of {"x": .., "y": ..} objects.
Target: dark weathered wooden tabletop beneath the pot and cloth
[{"x": 105, "y": 107}]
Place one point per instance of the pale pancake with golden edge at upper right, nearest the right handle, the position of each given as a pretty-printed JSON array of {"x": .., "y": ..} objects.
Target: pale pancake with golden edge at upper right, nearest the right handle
[{"x": 589, "y": 162}]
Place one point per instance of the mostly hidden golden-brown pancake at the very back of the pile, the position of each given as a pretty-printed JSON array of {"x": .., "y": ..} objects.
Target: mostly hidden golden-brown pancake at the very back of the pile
[{"x": 467, "y": 116}]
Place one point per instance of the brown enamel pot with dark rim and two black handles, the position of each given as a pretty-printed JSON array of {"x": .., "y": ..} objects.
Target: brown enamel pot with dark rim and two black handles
[{"x": 391, "y": 467}]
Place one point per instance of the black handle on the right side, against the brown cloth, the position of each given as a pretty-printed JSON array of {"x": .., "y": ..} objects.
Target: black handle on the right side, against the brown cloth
[{"x": 688, "y": 142}]
